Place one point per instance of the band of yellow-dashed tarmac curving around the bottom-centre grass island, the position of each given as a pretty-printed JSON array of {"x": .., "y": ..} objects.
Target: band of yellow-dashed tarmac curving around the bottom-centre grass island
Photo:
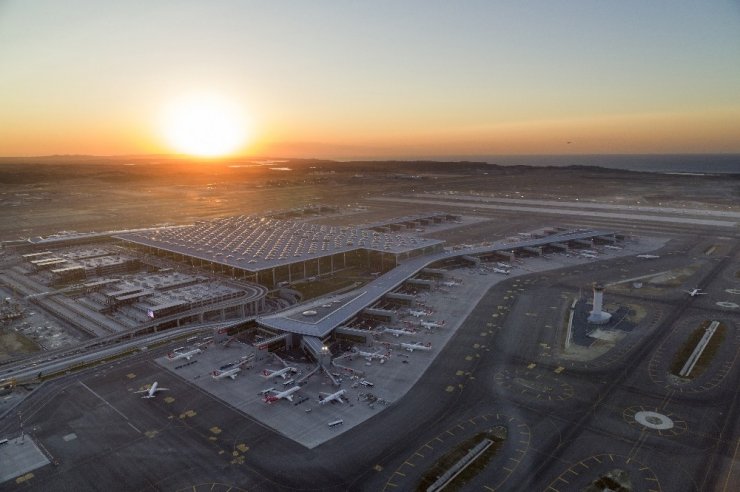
[{"x": 518, "y": 433}]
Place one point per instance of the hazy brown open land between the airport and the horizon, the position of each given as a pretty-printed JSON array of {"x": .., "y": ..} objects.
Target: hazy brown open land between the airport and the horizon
[{"x": 46, "y": 195}]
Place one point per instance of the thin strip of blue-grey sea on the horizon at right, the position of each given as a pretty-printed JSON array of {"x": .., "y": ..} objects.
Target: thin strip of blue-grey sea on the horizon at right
[{"x": 655, "y": 163}]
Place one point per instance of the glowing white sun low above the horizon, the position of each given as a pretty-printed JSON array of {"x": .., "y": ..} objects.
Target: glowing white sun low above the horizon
[{"x": 205, "y": 126}]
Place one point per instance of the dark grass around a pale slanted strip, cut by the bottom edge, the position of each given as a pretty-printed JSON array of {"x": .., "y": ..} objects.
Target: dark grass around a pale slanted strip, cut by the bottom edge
[{"x": 497, "y": 434}]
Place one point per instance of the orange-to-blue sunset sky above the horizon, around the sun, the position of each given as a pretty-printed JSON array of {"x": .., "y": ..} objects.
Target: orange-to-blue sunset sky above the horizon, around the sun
[{"x": 346, "y": 79}]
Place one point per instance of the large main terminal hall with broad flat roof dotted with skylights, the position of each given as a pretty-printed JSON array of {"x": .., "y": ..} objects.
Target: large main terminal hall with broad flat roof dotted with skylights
[{"x": 270, "y": 251}]
